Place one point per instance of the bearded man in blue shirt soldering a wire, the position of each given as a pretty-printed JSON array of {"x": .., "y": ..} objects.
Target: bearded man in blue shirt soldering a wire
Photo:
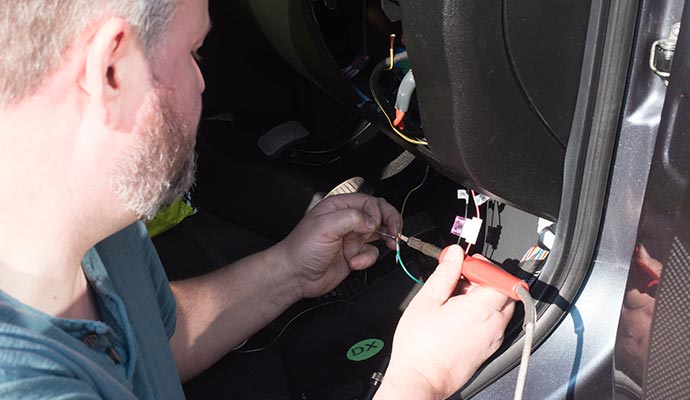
[{"x": 99, "y": 101}]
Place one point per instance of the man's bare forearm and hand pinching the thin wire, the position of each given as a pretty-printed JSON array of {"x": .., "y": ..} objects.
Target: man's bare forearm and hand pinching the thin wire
[{"x": 218, "y": 310}]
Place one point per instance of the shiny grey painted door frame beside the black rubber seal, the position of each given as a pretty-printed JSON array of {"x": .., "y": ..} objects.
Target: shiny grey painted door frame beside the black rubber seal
[{"x": 577, "y": 360}]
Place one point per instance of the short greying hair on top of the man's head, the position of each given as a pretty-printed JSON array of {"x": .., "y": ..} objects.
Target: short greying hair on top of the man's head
[{"x": 34, "y": 35}]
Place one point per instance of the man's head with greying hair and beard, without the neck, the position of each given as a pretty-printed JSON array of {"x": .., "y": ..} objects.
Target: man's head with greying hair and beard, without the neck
[{"x": 123, "y": 74}]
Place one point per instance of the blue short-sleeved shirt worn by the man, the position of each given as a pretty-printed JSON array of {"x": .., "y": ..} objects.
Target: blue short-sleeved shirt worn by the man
[{"x": 126, "y": 355}]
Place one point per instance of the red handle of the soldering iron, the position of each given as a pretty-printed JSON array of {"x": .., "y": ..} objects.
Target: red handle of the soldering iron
[{"x": 488, "y": 275}]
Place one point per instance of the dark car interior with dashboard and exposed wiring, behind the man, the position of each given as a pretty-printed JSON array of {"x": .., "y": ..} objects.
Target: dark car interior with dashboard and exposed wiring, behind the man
[{"x": 452, "y": 110}]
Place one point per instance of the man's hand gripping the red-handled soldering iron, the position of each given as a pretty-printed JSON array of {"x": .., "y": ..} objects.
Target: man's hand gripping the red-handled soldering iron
[{"x": 443, "y": 337}]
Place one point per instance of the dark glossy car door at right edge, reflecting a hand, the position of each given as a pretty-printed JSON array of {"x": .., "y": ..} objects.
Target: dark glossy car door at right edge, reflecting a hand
[{"x": 652, "y": 352}]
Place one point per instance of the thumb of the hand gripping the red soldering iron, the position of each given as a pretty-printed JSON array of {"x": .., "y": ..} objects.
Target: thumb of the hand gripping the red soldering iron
[{"x": 442, "y": 283}]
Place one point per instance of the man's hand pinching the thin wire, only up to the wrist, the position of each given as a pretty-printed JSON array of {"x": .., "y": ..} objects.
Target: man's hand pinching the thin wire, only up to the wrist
[{"x": 334, "y": 238}]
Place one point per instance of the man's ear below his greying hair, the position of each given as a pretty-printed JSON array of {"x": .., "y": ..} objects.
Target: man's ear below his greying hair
[{"x": 113, "y": 60}]
